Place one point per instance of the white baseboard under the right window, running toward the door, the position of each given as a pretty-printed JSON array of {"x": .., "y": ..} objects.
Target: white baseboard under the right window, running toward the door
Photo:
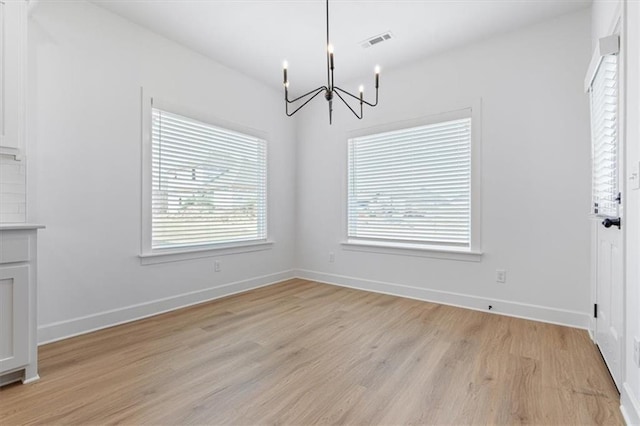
[{"x": 503, "y": 307}]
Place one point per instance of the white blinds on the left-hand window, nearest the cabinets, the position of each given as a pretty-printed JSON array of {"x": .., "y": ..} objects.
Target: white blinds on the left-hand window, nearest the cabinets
[{"x": 209, "y": 184}]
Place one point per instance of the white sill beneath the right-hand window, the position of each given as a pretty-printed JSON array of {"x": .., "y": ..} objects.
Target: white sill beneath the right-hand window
[{"x": 417, "y": 250}]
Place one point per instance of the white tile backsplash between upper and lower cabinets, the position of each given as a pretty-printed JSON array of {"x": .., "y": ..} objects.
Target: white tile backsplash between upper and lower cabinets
[{"x": 13, "y": 195}]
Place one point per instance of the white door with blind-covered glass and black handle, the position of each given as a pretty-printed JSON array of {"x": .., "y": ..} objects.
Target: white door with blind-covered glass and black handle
[{"x": 605, "y": 112}]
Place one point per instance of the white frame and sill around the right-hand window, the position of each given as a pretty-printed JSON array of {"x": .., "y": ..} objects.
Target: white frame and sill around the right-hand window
[{"x": 472, "y": 110}]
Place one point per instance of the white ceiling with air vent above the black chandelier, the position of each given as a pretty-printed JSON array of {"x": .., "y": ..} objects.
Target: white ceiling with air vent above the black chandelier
[{"x": 255, "y": 36}]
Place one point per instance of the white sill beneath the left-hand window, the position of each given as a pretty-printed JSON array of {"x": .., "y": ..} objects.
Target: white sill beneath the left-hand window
[{"x": 176, "y": 255}]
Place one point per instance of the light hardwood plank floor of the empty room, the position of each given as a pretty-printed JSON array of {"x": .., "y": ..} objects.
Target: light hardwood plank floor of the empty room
[{"x": 300, "y": 352}]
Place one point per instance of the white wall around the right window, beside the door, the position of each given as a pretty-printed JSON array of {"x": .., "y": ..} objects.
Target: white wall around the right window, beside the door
[{"x": 535, "y": 176}]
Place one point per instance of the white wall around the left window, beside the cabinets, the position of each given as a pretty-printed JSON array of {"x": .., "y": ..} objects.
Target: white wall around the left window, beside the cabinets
[{"x": 87, "y": 66}]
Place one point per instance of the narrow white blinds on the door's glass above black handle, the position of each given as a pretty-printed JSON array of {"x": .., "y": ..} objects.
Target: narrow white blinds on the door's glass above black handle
[{"x": 604, "y": 134}]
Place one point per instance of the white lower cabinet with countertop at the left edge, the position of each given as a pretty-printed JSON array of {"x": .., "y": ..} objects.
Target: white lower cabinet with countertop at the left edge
[{"x": 18, "y": 297}]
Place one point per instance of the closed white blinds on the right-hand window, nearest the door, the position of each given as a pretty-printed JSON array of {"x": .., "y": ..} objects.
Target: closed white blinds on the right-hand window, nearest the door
[{"x": 412, "y": 186}]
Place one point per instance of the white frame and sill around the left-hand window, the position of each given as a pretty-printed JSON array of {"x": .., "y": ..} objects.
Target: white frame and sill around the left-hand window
[{"x": 149, "y": 255}]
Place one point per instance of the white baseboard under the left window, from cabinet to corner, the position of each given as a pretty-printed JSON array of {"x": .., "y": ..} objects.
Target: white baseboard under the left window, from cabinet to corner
[{"x": 69, "y": 328}]
